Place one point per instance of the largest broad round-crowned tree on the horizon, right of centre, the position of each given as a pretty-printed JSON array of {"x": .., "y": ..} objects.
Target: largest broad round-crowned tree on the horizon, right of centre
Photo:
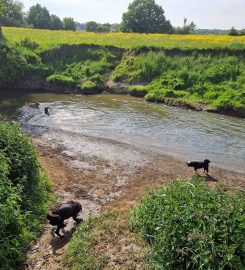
[{"x": 145, "y": 16}]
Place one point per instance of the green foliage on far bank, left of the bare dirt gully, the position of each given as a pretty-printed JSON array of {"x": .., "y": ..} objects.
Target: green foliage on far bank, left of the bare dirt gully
[{"x": 84, "y": 66}]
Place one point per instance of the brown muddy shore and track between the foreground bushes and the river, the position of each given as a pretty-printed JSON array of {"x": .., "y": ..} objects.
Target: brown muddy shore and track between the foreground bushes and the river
[{"x": 99, "y": 186}]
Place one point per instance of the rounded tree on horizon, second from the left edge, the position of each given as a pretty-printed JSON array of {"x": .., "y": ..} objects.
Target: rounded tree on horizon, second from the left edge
[{"x": 39, "y": 17}]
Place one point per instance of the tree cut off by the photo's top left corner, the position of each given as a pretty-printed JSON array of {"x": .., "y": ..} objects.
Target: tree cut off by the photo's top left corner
[{"x": 11, "y": 13}]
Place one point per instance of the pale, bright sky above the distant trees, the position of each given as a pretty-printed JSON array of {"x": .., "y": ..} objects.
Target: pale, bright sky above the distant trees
[{"x": 206, "y": 14}]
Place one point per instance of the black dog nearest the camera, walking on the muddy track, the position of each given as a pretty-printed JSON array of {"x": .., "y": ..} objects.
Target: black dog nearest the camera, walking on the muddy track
[{"x": 62, "y": 211}]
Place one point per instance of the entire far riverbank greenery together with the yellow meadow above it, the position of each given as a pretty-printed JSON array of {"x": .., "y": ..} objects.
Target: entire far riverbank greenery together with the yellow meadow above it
[{"x": 196, "y": 72}]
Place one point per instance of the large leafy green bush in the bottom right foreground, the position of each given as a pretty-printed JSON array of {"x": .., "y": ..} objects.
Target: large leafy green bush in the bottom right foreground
[{"x": 193, "y": 226}]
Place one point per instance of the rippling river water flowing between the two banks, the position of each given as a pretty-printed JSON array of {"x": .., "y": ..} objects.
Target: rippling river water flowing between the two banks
[{"x": 75, "y": 119}]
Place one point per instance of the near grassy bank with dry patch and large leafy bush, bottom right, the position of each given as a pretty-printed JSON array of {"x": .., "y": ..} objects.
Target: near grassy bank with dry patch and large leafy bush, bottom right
[{"x": 185, "y": 225}]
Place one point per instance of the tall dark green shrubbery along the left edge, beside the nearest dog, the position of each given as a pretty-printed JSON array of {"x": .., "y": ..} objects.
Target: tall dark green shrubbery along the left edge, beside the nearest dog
[{"x": 25, "y": 195}]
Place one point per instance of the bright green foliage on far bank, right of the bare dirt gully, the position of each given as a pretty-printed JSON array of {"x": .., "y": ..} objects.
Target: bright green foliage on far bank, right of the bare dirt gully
[{"x": 216, "y": 81}]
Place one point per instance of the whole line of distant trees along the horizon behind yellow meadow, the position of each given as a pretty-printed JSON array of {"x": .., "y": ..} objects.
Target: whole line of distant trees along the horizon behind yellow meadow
[{"x": 142, "y": 16}]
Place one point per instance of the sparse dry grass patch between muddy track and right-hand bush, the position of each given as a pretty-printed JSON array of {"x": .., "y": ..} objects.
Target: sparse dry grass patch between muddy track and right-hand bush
[{"x": 106, "y": 242}]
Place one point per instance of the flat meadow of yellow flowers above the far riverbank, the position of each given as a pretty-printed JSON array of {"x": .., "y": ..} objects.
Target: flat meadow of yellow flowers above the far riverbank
[{"x": 51, "y": 38}]
